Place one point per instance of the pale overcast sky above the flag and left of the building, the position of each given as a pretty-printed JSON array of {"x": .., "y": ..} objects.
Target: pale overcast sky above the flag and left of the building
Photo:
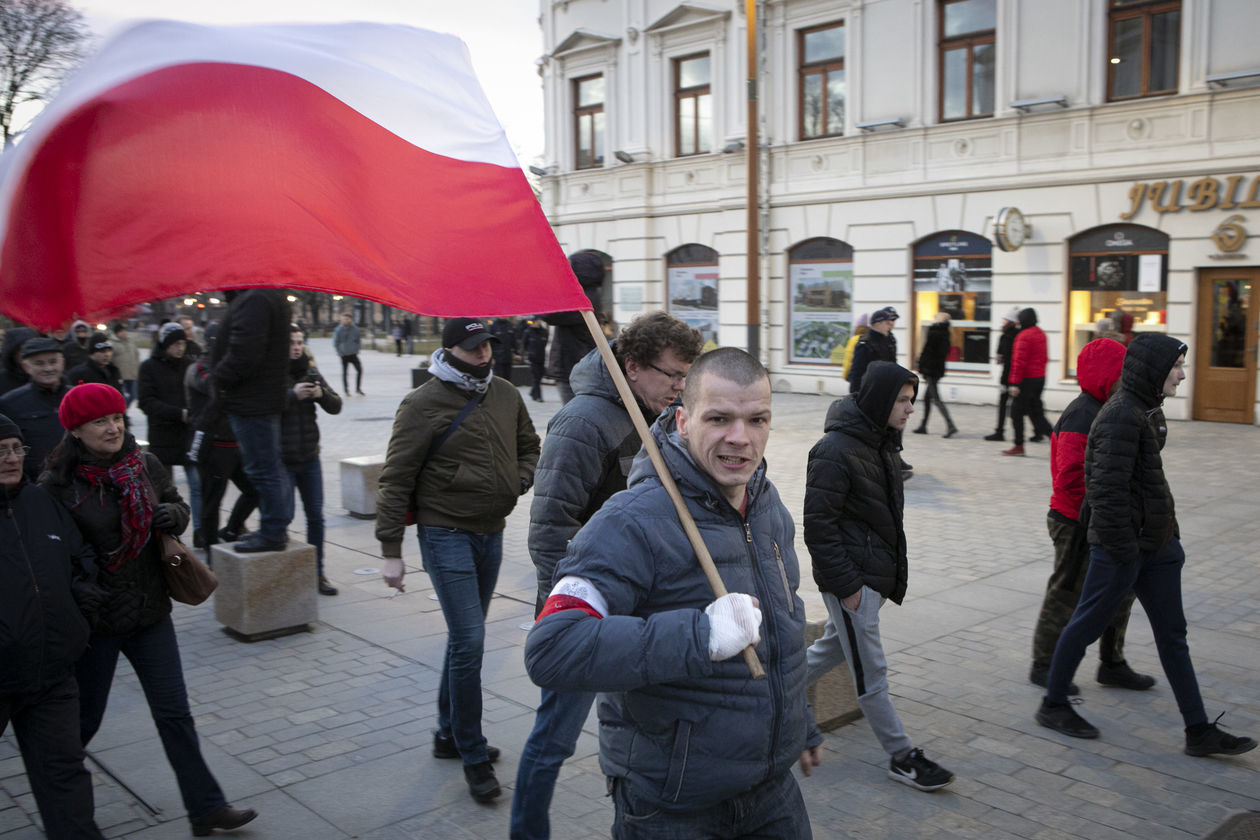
[{"x": 503, "y": 38}]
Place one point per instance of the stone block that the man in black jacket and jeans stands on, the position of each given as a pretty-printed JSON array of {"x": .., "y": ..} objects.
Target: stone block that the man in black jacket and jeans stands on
[{"x": 265, "y": 595}]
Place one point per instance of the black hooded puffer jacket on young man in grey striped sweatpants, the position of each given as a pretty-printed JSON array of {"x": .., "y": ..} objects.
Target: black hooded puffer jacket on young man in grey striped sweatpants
[{"x": 854, "y": 493}]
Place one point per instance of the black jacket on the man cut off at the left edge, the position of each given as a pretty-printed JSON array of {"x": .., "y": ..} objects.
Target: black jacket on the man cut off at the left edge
[{"x": 42, "y": 557}]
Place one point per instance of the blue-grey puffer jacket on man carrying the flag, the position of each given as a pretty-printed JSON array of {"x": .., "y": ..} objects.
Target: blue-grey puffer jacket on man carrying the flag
[{"x": 684, "y": 731}]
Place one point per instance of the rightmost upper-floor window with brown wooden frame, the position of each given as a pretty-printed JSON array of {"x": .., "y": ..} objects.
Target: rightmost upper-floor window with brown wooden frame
[{"x": 1145, "y": 48}]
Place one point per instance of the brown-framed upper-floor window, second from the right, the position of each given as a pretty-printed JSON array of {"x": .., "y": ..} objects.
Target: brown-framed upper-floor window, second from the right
[{"x": 967, "y": 59}]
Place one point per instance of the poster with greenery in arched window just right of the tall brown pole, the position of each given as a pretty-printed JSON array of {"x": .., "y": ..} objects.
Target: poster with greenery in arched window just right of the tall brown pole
[{"x": 822, "y": 310}]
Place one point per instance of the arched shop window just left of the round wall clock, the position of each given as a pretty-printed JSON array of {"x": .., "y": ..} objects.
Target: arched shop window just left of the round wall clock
[{"x": 954, "y": 274}]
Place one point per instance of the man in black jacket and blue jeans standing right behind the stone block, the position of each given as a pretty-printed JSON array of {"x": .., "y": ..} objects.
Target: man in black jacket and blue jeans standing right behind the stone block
[{"x": 299, "y": 436}]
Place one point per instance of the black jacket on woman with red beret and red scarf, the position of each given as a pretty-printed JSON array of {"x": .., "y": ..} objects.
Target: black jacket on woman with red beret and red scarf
[{"x": 135, "y": 593}]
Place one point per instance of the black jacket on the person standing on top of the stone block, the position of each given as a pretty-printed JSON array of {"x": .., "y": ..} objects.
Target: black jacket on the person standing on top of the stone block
[{"x": 251, "y": 355}]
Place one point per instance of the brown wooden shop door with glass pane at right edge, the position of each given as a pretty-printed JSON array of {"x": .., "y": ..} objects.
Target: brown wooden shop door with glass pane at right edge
[{"x": 1225, "y": 346}]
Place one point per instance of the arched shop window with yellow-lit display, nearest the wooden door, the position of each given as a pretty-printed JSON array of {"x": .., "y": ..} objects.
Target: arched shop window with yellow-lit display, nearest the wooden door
[{"x": 1113, "y": 270}]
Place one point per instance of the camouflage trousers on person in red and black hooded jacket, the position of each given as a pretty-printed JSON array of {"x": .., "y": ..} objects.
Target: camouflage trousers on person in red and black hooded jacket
[{"x": 1064, "y": 593}]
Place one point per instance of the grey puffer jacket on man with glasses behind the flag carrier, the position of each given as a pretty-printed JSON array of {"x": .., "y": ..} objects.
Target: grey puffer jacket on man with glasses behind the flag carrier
[{"x": 587, "y": 459}]
